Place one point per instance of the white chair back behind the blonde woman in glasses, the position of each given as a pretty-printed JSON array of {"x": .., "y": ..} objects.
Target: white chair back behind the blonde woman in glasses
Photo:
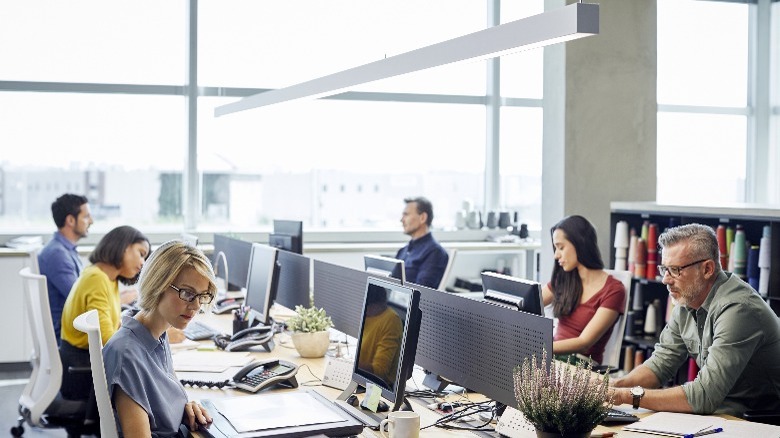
[{"x": 89, "y": 323}]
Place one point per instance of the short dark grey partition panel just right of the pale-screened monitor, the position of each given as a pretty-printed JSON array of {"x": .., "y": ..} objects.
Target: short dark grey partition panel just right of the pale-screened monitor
[{"x": 294, "y": 280}]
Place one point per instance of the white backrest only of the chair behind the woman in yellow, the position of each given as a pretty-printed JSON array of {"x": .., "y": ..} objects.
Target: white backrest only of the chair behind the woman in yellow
[{"x": 46, "y": 376}]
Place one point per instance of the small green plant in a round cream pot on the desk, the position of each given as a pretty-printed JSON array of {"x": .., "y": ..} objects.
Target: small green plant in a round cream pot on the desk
[{"x": 310, "y": 331}]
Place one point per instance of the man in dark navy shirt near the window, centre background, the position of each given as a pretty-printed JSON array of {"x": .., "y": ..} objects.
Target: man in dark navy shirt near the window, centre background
[{"x": 424, "y": 259}]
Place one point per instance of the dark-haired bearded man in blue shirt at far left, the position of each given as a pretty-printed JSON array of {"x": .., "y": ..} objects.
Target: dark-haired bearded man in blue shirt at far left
[{"x": 59, "y": 261}]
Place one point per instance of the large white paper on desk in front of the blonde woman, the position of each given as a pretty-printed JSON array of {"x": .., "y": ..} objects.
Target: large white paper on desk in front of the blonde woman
[{"x": 272, "y": 411}]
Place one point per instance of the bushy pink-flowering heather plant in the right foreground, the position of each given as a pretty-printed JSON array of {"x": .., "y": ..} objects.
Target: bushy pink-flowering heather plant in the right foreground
[{"x": 562, "y": 400}]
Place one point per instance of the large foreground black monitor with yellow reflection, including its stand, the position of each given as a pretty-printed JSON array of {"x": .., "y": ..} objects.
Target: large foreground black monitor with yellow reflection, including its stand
[{"x": 387, "y": 343}]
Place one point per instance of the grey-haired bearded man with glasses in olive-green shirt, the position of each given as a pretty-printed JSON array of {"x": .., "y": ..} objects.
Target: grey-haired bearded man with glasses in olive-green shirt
[{"x": 718, "y": 320}]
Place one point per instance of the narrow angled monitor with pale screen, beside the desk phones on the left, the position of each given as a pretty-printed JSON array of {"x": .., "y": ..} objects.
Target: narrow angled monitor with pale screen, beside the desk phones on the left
[{"x": 261, "y": 283}]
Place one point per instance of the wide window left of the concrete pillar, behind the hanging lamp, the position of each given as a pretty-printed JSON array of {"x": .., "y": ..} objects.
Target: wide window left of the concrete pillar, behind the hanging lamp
[{"x": 101, "y": 110}]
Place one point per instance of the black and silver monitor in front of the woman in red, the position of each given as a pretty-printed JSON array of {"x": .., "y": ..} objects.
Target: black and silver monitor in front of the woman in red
[{"x": 514, "y": 292}]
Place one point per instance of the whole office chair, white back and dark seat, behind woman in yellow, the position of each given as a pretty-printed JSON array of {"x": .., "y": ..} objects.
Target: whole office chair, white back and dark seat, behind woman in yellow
[{"x": 41, "y": 404}]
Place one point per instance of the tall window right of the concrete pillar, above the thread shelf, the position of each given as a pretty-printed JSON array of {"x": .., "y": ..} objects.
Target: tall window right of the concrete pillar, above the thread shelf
[{"x": 712, "y": 77}]
